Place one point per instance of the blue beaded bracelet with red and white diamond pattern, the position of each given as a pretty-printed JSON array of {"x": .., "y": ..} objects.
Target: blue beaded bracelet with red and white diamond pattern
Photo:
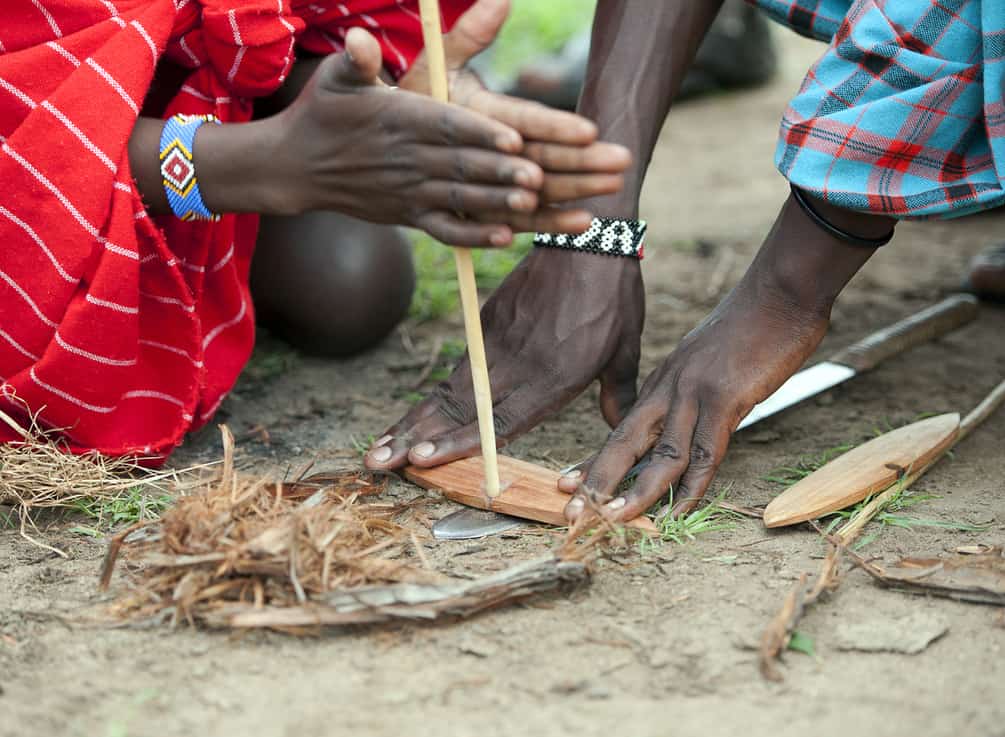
[{"x": 178, "y": 167}]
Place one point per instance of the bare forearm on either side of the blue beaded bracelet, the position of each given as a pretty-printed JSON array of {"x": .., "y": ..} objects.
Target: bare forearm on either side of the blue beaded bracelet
[{"x": 232, "y": 166}]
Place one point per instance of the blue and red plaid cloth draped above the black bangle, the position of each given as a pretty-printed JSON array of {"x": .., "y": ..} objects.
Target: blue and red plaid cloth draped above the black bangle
[{"x": 904, "y": 115}]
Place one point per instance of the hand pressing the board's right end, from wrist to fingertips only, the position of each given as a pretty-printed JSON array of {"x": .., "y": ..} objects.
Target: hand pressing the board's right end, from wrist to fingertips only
[{"x": 691, "y": 406}]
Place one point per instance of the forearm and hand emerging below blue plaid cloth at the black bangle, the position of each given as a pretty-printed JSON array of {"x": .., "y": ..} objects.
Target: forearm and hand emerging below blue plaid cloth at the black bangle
[{"x": 748, "y": 347}]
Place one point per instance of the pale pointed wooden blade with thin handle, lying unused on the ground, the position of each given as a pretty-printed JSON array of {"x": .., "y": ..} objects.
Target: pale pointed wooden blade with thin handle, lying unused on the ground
[{"x": 878, "y": 465}]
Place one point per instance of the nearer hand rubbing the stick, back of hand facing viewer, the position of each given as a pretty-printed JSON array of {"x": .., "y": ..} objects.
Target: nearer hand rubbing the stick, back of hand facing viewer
[{"x": 350, "y": 144}]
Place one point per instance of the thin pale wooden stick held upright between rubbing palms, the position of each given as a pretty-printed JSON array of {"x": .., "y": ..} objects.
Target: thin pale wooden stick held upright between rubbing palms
[{"x": 436, "y": 58}]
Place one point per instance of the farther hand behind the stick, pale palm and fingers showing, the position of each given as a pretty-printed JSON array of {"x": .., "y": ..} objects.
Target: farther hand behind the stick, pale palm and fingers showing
[{"x": 564, "y": 145}]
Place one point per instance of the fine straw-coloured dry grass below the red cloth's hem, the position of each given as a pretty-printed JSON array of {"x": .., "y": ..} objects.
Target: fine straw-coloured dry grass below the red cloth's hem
[{"x": 40, "y": 473}]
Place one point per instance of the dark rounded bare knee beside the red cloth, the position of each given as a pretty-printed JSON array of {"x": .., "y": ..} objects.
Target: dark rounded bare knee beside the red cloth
[{"x": 331, "y": 285}]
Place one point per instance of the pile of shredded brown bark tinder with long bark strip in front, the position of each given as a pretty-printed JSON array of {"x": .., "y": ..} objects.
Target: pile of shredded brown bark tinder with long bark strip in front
[{"x": 257, "y": 554}]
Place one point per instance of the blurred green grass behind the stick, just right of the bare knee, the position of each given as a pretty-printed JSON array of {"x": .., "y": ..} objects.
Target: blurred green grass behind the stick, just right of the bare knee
[{"x": 437, "y": 287}]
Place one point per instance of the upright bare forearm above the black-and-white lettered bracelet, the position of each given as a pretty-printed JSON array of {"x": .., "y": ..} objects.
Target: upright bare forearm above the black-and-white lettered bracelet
[{"x": 641, "y": 53}]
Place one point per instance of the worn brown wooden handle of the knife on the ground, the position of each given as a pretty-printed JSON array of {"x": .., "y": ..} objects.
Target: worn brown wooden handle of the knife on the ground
[{"x": 920, "y": 328}]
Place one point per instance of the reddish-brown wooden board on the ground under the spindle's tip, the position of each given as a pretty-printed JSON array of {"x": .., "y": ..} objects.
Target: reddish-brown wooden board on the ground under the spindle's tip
[{"x": 529, "y": 491}]
